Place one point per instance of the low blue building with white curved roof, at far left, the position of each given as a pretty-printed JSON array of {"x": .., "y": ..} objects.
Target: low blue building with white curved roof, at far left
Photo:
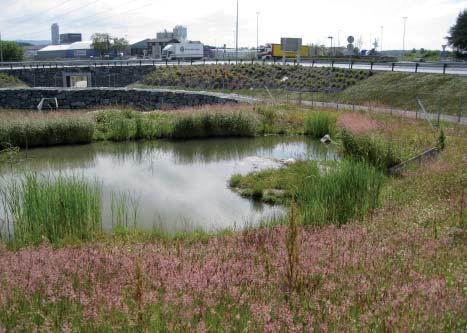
[{"x": 74, "y": 50}]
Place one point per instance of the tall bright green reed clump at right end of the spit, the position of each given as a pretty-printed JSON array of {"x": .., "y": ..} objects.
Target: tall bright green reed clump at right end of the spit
[{"x": 340, "y": 194}]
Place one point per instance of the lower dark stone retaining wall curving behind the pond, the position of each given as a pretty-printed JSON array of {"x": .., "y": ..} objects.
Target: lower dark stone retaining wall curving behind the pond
[{"x": 144, "y": 99}]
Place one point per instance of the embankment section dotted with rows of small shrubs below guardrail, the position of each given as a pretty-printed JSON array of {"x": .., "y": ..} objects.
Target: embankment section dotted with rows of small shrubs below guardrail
[{"x": 247, "y": 76}]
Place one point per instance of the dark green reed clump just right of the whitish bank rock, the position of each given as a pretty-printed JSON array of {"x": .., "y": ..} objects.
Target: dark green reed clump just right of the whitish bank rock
[{"x": 370, "y": 149}]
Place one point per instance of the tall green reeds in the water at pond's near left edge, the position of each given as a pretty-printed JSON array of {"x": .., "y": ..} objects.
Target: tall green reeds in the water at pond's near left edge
[{"x": 53, "y": 209}]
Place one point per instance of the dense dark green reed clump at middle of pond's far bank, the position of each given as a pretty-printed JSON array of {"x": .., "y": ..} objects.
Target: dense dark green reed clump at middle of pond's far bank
[{"x": 214, "y": 124}]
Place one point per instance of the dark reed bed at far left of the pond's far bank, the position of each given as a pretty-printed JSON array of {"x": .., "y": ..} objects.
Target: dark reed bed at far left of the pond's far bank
[{"x": 32, "y": 132}]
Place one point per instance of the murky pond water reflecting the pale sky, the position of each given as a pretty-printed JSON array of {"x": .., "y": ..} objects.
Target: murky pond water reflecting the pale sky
[{"x": 177, "y": 185}]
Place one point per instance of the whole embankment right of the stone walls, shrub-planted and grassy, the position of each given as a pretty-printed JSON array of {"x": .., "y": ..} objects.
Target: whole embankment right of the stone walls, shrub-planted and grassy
[{"x": 396, "y": 90}]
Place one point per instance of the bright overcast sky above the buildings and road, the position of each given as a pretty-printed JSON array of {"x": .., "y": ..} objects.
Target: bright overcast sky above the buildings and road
[{"x": 213, "y": 21}]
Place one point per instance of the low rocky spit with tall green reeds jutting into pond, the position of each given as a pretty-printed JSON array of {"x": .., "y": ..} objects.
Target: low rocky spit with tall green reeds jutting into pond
[{"x": 330, "y": 193}]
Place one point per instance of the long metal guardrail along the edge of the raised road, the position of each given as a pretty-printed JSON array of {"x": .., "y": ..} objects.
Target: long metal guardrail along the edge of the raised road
[{"x": 440, "y": 68}]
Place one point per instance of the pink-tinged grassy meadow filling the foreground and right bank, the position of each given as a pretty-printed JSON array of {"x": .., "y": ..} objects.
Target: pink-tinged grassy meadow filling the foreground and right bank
[{"x": 400, "y": 268}]
